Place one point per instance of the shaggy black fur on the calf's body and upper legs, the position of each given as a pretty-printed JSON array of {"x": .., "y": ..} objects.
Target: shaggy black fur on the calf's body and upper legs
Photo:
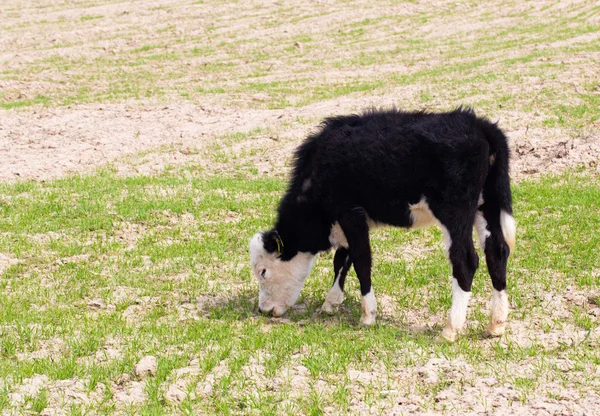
[{"x": 376, "y": 164}]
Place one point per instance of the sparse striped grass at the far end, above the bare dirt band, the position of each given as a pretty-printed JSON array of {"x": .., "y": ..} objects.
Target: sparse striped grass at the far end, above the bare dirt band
[{"x": 213, "y": 61}]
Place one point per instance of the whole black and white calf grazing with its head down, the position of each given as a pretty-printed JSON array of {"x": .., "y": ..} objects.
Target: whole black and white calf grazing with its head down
[{"x": 391, "y": 168}]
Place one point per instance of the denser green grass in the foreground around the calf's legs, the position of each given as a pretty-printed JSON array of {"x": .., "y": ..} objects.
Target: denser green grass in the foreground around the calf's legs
[{"x": 165, "y": 257}]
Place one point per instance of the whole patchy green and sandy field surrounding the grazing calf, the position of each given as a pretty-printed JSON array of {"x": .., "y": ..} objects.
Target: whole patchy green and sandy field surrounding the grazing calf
[{"x": 144, "y": 142}]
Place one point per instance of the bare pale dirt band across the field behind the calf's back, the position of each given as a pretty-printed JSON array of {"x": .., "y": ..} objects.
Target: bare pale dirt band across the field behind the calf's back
[{"x": 50, "y": 143}]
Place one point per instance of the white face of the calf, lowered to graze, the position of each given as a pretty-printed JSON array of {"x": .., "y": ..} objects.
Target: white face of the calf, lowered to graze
[{"x": 280, "y": 281}]
